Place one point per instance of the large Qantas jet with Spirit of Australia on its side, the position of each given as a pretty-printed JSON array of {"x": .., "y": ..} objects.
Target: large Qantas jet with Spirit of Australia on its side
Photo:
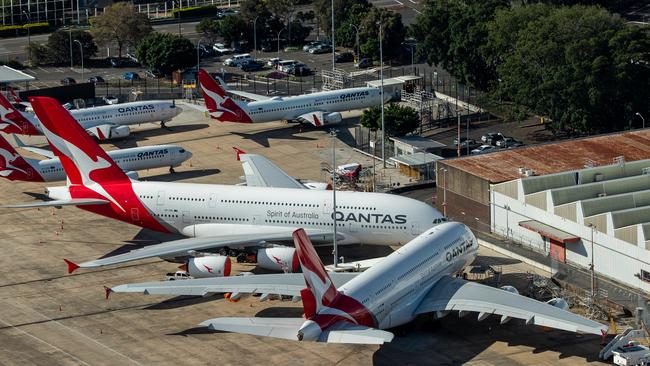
[{"x": 215, "y": 216}]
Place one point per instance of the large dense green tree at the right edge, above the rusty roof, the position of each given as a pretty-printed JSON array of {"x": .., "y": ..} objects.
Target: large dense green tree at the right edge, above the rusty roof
[{"x": 581, "y": 66}]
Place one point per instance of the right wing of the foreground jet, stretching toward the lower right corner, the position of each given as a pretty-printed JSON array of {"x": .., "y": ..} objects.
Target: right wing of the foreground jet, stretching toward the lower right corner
[{"x": 457, "y": 294}]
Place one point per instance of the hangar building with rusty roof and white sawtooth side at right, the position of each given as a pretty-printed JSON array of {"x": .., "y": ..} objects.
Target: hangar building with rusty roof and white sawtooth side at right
[{"x": 573, "y": 201}]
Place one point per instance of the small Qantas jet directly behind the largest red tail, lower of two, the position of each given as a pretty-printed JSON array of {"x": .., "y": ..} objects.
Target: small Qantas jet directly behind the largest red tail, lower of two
[{"x": 13, "y": 166}]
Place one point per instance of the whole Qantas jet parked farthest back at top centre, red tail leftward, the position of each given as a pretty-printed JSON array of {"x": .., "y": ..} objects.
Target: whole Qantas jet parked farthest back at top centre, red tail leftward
[{"x": 319, "y": 109}]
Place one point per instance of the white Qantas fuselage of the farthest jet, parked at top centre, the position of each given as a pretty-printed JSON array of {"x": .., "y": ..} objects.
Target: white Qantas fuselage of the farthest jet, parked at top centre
[{"x": 290, "y": 108}]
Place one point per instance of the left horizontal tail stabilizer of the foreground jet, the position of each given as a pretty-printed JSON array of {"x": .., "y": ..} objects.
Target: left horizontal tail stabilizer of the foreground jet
[{"x": 285, "y": 328}]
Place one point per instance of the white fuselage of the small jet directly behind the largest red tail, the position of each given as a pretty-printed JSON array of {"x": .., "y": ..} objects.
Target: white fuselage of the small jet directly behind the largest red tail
[{"x": 131, "y": 159}]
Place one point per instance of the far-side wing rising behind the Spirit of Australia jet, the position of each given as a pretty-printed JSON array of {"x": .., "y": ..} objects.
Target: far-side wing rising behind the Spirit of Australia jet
[{"x": 261, "y": 172}]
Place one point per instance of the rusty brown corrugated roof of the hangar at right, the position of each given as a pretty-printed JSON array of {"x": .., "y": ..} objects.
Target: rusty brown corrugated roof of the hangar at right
[{"x": 556, "y": 157}]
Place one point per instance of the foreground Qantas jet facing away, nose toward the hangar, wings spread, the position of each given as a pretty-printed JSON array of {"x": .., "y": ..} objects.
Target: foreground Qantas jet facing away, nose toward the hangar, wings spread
[{"x": 417, "y": 278}]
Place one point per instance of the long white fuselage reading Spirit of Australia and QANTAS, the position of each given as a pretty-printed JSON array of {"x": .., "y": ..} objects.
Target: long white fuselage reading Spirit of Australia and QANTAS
[{"x": 201, "y": 210}]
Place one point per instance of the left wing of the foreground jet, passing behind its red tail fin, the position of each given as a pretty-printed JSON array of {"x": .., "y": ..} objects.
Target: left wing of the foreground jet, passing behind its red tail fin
[{"x": 287, "y": 284}]
